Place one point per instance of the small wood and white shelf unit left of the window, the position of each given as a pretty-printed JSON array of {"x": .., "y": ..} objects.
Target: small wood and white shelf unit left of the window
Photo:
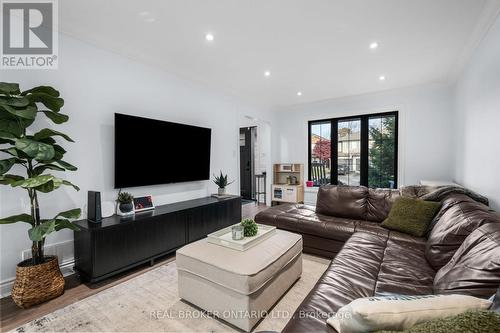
[{"x": 282, "y": 190}]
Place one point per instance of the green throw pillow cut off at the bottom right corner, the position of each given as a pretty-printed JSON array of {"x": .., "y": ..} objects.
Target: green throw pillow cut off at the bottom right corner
[{"x": 471, "y": 321}]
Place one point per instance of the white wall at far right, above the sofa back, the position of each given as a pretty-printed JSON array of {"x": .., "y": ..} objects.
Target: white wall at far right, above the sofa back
[{"x": 477, "y": 106}]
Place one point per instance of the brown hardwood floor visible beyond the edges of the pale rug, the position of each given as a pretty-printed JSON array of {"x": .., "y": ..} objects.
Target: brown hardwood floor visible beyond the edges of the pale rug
[{"x": 12, "y": 316}]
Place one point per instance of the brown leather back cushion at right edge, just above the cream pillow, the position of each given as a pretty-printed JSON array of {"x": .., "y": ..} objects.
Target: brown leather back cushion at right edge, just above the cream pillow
[{"x": 475, "y": 268}]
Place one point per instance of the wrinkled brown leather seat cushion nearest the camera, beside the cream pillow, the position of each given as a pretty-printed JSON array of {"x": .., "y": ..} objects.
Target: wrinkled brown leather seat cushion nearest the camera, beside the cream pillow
[{"x": 368, "y": 264}]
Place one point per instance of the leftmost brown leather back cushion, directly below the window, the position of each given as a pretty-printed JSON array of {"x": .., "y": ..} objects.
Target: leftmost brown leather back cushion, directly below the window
[{"x": 342, "y": 201}]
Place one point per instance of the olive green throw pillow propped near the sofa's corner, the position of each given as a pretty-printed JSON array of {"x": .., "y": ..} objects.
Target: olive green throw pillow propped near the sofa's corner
[{"x": 411, "y": 216}]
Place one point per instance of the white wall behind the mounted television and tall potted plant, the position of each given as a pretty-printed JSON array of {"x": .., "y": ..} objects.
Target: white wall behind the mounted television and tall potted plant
[{"x": 95, "y": 84}]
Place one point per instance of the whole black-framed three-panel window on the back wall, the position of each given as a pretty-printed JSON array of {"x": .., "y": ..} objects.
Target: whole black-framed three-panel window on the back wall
[{"x": 360, "y": 150}]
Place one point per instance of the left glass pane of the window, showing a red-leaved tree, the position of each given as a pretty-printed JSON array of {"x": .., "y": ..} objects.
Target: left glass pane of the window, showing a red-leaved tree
[{"x": 321, "y": 153}]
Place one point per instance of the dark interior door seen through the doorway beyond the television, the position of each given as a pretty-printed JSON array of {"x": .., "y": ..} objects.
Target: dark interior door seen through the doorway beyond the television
[{"x": 246, "y": 163}]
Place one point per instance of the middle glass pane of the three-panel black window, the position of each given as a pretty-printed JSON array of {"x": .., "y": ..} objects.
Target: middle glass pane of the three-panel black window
[{"x": 349, "y": 152}]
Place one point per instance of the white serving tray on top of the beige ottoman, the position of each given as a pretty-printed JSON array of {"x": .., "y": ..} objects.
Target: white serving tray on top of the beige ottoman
[{"x": 224, "y": 237}]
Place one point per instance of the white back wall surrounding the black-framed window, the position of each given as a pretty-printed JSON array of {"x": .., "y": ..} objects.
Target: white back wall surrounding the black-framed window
[{"x": 425, "y": 136}]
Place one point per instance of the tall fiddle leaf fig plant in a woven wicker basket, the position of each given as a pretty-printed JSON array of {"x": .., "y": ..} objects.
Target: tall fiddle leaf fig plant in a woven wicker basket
[{"x": 28, "y": 158}]
